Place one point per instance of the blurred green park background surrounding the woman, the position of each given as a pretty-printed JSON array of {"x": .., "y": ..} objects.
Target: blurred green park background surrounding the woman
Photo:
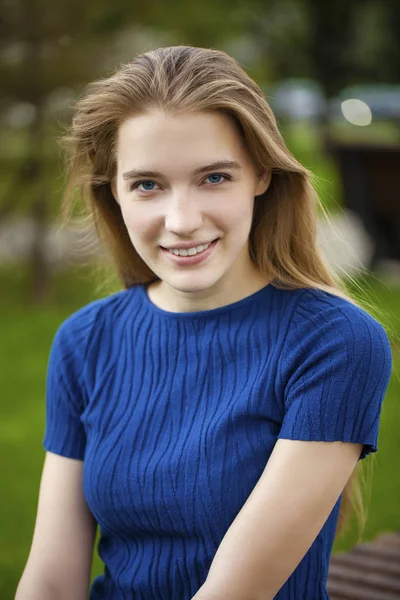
[{"x": 330, "y": 71}]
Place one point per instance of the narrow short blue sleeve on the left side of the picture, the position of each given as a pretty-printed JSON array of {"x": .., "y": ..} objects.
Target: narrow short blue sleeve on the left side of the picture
[{"x": 64, "y": 432}]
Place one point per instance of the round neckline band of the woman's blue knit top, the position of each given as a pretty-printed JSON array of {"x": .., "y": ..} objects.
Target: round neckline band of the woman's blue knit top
[{"x": 211, "y": 312}]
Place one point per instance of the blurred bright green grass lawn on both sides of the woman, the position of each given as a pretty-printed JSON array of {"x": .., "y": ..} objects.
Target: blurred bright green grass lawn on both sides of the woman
[{"x": 27, "y": 333}]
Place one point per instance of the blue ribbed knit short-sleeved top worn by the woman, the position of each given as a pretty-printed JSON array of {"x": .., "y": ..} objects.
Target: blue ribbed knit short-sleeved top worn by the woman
[{"x": 176, "y": 414}]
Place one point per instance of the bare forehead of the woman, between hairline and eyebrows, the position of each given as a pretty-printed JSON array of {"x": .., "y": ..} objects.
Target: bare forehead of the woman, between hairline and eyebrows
[{"x": 157, "y": 138}]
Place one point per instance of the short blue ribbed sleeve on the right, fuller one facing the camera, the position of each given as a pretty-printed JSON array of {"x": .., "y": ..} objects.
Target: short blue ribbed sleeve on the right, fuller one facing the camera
[{"x": 338, "y": 364}]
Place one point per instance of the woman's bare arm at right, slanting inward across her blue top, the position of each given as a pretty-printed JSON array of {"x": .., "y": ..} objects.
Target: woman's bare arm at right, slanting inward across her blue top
[{"x": 283, "y": 515}]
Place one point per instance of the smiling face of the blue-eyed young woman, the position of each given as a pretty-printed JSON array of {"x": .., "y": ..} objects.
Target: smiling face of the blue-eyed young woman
[{"x": 186, "y": 188}]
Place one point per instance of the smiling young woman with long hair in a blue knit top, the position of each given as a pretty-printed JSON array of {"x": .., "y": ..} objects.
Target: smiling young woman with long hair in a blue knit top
[{"x": 210, "y": 416}]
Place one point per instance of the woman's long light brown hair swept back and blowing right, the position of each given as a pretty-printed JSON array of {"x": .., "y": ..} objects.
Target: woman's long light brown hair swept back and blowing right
[{"x": 177, "y": 79}]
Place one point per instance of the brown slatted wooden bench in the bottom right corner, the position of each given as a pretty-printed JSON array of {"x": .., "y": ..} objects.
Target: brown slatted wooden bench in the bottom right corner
[{"x": 368, "y": 572}]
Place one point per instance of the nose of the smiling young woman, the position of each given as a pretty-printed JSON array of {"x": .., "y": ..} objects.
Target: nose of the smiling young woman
[{"x": 183, "y": 216}]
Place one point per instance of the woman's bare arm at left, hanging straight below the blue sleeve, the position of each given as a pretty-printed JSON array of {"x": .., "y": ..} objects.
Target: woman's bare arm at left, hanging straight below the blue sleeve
[{"x": 60, "y": 559}]
